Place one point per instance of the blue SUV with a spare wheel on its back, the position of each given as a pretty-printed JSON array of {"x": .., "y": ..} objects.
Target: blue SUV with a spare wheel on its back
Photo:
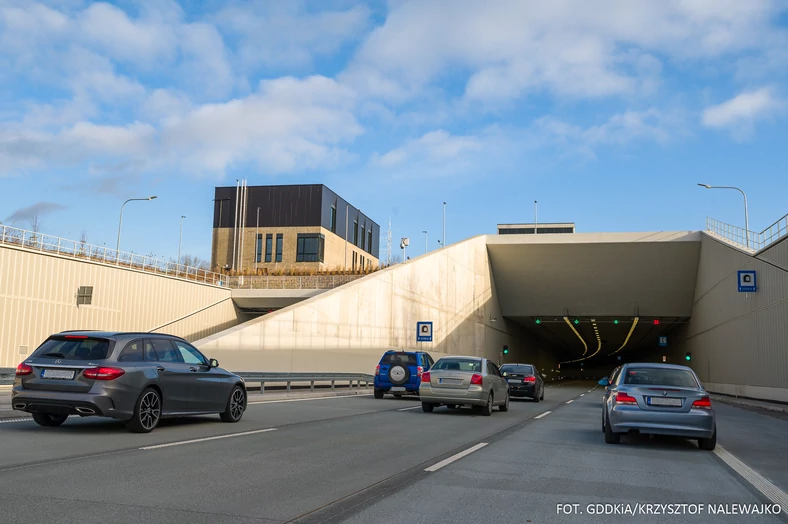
[{"x": 399, "y": 372}]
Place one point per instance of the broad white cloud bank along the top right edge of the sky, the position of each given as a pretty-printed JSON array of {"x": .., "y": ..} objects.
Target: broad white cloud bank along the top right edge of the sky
[{"x": 509, "y": 48}]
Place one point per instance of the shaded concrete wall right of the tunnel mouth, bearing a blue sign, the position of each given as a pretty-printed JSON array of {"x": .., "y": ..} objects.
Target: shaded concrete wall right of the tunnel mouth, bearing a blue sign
[{"x": 739, "y": 343}]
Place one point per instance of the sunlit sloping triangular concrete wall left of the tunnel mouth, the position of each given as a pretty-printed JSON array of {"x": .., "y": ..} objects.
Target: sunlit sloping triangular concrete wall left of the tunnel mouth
[{"x": 347, "y": 329}]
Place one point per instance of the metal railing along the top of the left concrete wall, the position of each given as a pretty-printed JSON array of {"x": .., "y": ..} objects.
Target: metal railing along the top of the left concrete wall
[{"x": 104, "y": 255}]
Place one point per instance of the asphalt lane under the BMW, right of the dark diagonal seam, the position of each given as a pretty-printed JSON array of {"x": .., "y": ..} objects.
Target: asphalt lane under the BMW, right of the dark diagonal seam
[{"x": 561, "y": 458}]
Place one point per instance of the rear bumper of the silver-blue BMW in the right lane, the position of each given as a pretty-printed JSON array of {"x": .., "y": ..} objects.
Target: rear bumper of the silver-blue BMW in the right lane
[{"x": 698, "y": 423}]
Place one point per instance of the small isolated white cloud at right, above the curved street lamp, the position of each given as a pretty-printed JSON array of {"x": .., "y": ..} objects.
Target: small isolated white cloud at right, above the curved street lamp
[{"x": 740, "y": 112}]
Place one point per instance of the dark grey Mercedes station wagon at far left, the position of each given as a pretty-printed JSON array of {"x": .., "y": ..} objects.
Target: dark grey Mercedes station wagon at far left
[{"x": 138, "y": 378}]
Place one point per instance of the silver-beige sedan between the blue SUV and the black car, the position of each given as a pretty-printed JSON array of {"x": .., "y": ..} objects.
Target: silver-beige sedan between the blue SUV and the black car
[{"x": 464, "y": 381}]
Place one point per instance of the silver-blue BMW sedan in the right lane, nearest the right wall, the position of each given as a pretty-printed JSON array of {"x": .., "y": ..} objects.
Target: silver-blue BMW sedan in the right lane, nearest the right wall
[{"x": 658, "y": 399}]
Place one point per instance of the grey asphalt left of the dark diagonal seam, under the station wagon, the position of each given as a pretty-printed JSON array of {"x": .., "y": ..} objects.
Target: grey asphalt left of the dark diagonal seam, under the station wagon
[{"x": 321, "y": 451}]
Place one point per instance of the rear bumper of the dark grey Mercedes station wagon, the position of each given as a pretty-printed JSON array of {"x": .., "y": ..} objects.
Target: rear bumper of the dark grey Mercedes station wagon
[{"x": 60, "y": 403}]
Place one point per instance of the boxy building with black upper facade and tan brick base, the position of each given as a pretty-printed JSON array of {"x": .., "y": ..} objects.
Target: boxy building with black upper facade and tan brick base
[{"x": 308, "y": 227}]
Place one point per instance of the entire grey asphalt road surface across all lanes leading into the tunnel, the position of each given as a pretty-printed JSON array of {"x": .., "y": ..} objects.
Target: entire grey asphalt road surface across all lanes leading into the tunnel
[{"x": 356, "y": 459}]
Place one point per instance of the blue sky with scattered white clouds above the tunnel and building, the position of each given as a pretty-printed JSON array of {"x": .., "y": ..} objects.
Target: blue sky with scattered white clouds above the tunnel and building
[{"x": 607, "y": 113}]
